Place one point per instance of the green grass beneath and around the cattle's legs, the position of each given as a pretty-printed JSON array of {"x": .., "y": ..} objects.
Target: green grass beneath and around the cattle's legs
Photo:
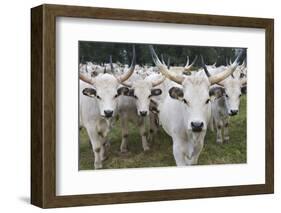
[{"x": 160, "y": 154}]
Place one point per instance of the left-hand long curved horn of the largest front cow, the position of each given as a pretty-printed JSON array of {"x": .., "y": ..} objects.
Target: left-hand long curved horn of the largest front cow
[{"x": 163, "y": 69}]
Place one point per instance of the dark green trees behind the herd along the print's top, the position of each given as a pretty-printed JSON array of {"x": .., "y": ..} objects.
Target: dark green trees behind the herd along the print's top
[{"x": 99, "y": 52}]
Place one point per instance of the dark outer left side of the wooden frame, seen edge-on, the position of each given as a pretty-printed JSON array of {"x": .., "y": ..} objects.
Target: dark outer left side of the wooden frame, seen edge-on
[{"x": 37, "y": 197}]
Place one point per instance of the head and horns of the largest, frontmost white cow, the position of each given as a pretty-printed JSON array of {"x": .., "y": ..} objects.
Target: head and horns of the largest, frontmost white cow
[{"x": 194, "y": 93}]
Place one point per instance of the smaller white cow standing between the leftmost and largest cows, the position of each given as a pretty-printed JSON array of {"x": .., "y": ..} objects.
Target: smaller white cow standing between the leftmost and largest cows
[{"x": 134, "y": 106}]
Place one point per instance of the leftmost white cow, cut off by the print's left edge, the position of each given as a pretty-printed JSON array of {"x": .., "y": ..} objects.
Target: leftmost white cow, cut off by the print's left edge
[{"x": 98, "y": 102}]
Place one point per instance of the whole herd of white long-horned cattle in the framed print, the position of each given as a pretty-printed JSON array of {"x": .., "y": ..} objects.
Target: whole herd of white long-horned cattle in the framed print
[{"x": 182, "y": 102}]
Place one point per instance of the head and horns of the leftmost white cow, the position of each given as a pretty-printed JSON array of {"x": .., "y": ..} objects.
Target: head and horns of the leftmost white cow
[{"x": 105, "y": 89}]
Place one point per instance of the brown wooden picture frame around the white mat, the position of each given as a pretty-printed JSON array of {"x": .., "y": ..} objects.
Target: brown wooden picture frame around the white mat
[{"x": 43, "y": 105}]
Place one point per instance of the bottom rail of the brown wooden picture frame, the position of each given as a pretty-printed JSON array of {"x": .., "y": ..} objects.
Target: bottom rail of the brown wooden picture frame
[{"x": 157, "y": 196}]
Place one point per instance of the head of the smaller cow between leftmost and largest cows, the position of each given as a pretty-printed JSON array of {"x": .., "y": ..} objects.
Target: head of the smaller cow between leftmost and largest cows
[{"x": 143, "y": 90}]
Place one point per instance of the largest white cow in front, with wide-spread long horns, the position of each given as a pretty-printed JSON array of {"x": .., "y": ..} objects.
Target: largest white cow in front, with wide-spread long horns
[{"x": 185, "y": 113}]
